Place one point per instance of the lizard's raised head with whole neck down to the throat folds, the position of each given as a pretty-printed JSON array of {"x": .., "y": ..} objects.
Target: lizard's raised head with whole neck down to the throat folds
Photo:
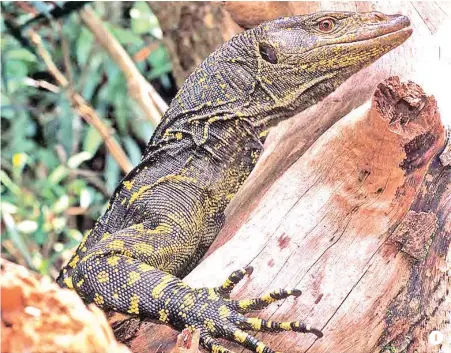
[{"x": 281, "y": 67}]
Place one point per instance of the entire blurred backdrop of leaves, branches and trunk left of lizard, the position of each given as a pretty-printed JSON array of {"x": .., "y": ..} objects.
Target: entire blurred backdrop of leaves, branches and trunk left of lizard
[{"x": 58, "y": 167}]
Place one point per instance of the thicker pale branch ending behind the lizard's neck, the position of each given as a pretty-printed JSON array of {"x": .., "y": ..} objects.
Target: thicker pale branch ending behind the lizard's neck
[{"x": 140, "y": 90}]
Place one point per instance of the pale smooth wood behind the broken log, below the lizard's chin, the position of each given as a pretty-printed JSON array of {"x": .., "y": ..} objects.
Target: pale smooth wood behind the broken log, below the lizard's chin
[{"x": 420, "y": 59}]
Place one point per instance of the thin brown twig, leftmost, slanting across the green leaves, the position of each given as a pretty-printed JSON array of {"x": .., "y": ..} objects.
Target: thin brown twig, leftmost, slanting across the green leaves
[{"x": 82, "y": 107}]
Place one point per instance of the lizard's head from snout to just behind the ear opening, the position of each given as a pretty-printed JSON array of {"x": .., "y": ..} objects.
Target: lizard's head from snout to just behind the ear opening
[{"x": 301, "y": 59}]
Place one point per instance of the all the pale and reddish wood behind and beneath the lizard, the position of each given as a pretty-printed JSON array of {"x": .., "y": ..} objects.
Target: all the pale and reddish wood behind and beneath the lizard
[{"x": 356, "y": 213}]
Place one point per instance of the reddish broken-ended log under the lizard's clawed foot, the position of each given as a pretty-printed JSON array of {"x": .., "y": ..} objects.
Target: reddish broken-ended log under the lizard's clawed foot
[{"x": 361, "y": 222}]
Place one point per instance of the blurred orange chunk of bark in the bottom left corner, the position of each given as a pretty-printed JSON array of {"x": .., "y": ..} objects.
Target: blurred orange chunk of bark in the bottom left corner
[{"x": 39, "y": 316}]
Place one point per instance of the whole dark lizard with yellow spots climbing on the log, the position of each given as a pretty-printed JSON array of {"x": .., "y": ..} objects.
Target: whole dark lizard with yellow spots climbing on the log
[{"x": 167, "y": 211}]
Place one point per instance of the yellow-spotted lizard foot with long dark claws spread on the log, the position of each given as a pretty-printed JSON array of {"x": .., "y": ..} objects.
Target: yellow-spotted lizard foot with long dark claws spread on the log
[{"x": 217, "y": 316}]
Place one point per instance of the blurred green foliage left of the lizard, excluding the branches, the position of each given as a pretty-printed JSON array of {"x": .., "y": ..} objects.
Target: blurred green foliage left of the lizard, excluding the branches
[{"x": 56, "y": 173}]
